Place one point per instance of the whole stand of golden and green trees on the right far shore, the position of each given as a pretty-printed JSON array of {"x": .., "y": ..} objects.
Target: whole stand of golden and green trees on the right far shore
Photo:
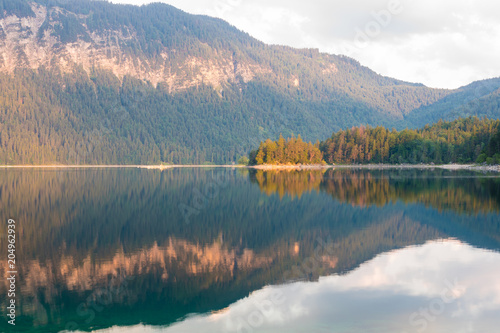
[{"x": 465, "y": 140}]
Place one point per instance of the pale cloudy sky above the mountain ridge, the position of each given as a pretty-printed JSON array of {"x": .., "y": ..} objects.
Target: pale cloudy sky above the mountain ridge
[{"x": 440, "y": 43}]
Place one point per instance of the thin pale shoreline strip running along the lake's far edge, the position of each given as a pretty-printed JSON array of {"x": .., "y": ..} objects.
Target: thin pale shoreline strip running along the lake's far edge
[{"x": 266, "y": 167}]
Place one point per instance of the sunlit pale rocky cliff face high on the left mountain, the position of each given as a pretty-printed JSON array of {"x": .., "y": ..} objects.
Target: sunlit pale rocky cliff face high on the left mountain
[{"x": 35, "y": 42}]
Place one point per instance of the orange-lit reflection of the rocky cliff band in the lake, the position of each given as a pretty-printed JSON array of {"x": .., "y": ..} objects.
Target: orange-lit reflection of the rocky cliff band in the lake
[{"x": 178, "y": 258}]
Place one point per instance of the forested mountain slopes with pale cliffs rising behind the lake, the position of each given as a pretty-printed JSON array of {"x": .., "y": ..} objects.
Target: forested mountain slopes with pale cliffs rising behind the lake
[{"x": 91, "y": 82}]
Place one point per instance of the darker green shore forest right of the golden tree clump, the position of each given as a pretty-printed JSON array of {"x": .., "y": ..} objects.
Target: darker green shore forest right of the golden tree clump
[{"x": 459, "y": 141}]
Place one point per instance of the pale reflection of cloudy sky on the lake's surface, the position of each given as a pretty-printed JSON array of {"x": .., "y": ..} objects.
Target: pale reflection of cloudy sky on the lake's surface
[{"x": 438, "y": 287}]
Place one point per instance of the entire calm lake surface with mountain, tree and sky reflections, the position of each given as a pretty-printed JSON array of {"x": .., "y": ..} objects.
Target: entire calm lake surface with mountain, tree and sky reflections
[{"x": 222, "y": 250}]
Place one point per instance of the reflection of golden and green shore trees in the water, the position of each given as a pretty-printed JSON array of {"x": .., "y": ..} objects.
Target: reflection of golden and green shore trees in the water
[{"x": 364, "y": 188}]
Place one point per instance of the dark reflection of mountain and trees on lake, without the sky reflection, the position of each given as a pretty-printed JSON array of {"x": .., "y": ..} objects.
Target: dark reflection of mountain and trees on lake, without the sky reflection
[{"x": 83, "y": 231}]
